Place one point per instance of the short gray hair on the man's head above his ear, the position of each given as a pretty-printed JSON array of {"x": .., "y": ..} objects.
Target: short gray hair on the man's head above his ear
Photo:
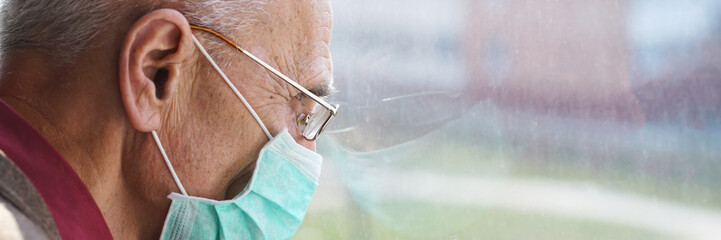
[{"x": 65, "y": 28}]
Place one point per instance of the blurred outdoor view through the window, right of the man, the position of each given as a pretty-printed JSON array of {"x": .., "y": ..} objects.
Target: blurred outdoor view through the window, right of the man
[{"x": 520, "y": 119}]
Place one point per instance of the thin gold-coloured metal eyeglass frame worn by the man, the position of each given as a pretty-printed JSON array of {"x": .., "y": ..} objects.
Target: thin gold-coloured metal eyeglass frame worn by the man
[{"x": 332, "y": 108}]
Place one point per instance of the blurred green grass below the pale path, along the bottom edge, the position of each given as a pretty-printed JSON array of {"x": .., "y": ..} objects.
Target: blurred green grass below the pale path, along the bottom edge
[{"x": 420, "y": 222}]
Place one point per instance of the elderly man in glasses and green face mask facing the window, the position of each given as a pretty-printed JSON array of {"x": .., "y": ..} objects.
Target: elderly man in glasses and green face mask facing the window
[{"x": 146, "y": 119}]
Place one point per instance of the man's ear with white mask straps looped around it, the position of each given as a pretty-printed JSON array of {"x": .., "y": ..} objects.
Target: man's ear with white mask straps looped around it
[{"x": 155, "y": 52}]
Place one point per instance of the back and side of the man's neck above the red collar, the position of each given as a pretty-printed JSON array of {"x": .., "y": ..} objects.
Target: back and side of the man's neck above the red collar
[{"x": 79, "y": 116}]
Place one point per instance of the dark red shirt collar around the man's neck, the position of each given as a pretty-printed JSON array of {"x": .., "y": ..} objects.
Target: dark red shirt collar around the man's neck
[{"x": 74, "y": 210}]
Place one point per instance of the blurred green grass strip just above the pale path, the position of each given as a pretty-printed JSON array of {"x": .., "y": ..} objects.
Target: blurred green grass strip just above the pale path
[{"x": 473, "y": 160}]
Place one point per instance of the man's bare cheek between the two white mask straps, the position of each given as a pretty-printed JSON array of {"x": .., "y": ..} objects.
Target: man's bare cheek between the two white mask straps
[{"x": 214, "y": 141}]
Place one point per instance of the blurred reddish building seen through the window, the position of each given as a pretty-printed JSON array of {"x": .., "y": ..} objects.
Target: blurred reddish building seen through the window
[{"x": 557, "y": 57}]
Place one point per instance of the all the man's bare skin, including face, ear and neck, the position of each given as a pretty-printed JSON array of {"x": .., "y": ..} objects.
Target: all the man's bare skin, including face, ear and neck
[{"x": 103, "y": 130}]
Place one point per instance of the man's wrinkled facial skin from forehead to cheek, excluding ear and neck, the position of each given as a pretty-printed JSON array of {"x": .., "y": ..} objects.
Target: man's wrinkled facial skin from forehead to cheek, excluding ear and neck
[{"x": 215, "y": 137}]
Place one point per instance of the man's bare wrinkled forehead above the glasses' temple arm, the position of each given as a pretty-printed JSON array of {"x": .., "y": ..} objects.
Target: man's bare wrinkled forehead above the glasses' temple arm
[{"x": 299, "y": 32}]
